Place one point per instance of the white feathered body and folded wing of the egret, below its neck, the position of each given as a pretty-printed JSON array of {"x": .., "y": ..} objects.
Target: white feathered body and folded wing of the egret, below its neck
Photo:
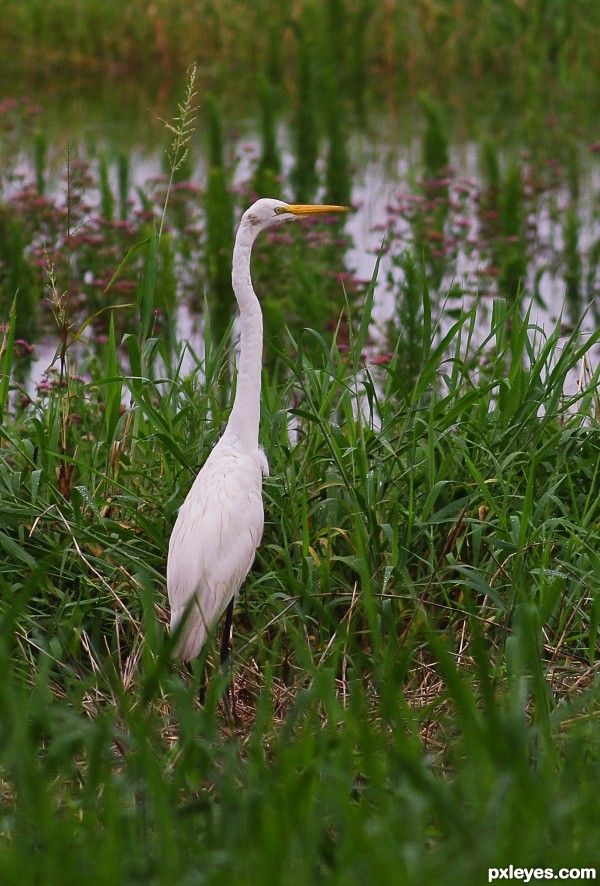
[{"x": 213, "y": 543}]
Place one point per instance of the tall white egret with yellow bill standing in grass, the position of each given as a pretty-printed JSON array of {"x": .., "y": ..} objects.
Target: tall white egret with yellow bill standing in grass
[{"x": 220, "y": 523}]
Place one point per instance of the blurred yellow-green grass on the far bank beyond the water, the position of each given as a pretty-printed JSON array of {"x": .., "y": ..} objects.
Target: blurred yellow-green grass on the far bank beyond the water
[{"x": 397, "y": 42}]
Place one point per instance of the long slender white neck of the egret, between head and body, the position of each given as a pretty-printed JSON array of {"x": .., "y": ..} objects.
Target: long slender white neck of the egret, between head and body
[{"x": 245, "y": 414}]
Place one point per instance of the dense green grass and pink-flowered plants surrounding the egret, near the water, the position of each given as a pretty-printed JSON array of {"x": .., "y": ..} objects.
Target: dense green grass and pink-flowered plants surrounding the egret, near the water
[{"x": 416, "y": 649}]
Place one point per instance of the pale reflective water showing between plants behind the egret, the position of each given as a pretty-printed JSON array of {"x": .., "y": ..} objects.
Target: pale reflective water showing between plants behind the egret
[{"x": 386, "y": 174}]
